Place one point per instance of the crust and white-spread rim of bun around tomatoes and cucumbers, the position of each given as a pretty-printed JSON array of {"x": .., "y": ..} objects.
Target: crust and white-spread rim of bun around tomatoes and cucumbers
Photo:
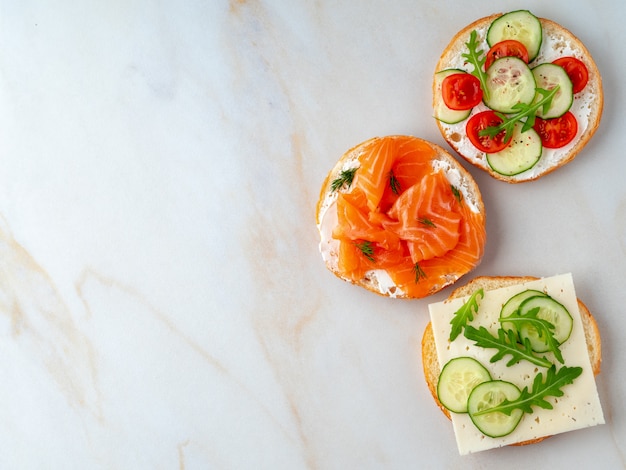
[{"x": 594, "y": 91}]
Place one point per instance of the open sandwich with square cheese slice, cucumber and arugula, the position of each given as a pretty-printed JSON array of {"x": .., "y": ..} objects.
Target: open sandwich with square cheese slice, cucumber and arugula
[{"x": 512, "y": 360}]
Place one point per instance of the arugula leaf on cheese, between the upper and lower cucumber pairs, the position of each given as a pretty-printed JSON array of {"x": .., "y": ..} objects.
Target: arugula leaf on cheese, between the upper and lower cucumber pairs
[{"x": 506, "y": 344}]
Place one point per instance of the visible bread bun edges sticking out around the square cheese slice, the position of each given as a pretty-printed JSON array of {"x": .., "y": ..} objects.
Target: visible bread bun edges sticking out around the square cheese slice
[{"x": 431, "y": 364}]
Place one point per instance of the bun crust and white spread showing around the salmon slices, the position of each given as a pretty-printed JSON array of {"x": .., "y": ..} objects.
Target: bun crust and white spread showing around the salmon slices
[{"x": 372, "y": 284}]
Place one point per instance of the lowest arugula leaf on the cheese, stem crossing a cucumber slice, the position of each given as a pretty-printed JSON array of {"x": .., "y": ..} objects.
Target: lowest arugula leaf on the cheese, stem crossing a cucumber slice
[{"x": 541, "y": 388}]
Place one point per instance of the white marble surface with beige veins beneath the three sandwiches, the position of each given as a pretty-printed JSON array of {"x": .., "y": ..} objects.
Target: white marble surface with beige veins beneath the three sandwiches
[{"x": 162, "y": 301}]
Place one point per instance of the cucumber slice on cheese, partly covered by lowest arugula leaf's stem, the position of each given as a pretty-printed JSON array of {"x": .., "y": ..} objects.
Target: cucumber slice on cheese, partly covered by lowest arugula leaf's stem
[{"x": 490, "y": 394}]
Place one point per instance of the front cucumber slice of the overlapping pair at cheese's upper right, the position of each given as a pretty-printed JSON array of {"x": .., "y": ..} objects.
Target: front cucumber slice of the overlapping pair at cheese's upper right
[{"x": 551, "y": 311}]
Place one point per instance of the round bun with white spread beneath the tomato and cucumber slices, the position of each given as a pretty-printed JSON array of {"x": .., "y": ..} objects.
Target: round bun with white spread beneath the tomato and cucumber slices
[{"x": 587, "y": 105}]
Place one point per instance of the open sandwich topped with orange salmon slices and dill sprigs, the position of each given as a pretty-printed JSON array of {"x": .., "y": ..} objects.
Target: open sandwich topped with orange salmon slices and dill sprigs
[{"x": 400, "y": 217}]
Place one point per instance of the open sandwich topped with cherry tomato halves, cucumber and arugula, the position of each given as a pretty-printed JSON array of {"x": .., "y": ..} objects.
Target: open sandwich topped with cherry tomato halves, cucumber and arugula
[{"x": 517, "y": 96}]
